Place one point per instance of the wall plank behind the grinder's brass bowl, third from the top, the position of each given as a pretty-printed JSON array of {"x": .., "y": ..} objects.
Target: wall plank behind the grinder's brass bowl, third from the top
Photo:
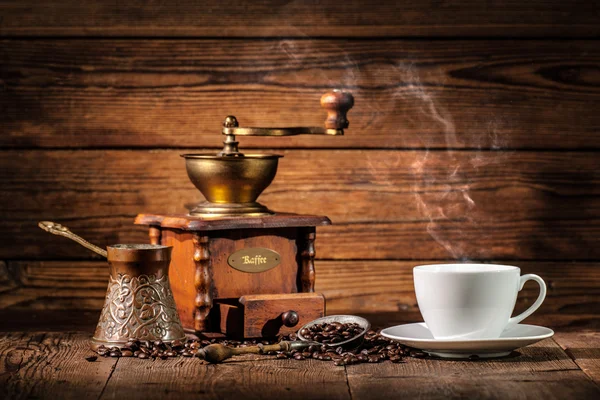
[{"x": 384, "y": 204}]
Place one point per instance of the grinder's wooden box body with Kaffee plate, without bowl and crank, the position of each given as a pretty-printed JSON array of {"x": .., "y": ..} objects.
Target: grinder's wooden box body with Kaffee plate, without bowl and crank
[{"x": 216, "y": 292}]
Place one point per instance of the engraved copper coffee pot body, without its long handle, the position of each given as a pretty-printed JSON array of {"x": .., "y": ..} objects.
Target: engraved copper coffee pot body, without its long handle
[{"x": 139, "y": 302}]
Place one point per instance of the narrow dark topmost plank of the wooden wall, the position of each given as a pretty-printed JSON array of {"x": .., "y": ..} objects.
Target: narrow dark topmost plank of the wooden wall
[{"x": 299, "y": 19}]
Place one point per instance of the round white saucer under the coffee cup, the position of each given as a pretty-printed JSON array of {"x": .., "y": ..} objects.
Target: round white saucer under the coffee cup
[{"x": 418, "y": 336}]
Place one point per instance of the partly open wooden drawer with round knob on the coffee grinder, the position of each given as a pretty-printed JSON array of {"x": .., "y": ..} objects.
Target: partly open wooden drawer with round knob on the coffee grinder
[{"x": 268, "y": 315}]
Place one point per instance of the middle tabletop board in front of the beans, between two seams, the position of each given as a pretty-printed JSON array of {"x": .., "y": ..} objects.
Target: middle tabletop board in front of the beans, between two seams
[{"x": 248, "y": 377}]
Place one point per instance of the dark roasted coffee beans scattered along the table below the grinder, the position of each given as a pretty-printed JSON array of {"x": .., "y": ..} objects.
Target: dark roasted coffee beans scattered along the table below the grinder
[{"x": 374, "y": 349}]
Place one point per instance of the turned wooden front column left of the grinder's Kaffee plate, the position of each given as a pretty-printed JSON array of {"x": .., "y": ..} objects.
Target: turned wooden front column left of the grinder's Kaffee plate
[{"x": 202, "y": 282}]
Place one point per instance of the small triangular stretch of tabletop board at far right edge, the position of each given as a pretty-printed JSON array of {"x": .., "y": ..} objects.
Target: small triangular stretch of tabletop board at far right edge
[{"x": 584, "y": 349}]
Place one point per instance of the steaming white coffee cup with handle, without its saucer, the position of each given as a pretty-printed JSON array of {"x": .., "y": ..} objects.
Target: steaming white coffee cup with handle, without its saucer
[{"x": 471, "y": 301}]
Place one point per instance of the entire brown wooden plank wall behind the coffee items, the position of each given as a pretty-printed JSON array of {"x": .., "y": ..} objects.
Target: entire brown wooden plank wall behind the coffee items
[{"x": 475, "y": 136}]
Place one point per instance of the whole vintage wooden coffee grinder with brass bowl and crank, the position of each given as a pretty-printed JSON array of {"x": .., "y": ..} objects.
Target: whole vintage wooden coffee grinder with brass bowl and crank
[{"x": 238, "y": 268}]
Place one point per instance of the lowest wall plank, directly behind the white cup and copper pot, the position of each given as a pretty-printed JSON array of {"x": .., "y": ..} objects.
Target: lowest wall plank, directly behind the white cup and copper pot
[{"x": 364, "y": 287}]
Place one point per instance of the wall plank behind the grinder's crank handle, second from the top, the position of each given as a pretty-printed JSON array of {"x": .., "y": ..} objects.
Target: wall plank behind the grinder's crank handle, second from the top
[{"x": 488, "y": 94}]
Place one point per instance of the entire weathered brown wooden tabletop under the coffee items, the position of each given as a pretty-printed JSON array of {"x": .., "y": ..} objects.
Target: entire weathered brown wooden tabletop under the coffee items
[{"x": 51, "y": 364}]
